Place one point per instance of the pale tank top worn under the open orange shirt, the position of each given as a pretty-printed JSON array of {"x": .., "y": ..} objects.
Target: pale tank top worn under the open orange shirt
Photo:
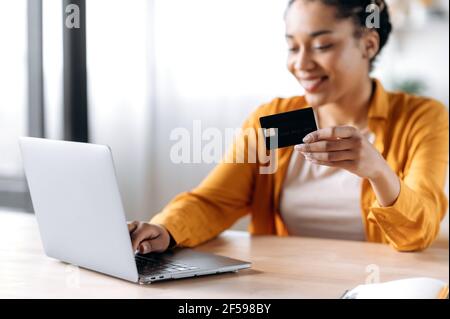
[{"x": 322, "y": 201}]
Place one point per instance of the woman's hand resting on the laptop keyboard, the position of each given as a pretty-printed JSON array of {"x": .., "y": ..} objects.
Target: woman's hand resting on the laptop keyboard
[{"x": 148, "y": 238}]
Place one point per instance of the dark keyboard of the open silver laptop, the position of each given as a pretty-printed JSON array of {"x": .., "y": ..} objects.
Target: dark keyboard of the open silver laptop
[{"x": 148, "y": 266}]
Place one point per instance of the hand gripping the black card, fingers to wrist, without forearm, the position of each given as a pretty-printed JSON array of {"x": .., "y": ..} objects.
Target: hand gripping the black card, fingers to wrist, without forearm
[{"x": 344, "y": 147}]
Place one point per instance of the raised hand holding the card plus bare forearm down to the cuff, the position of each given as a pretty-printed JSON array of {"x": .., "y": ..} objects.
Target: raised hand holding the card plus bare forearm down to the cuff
[{"x": 345, "y": 147}]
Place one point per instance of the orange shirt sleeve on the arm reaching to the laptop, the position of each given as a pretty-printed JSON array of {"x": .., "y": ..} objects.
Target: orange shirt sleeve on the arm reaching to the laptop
[{"x": 217, "y": 203}]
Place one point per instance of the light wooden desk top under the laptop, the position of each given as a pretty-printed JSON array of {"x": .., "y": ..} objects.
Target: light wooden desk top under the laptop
[{"x": 282, "y": 268}]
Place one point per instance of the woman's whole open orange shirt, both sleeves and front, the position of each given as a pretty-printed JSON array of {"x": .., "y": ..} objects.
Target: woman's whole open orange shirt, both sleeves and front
[{"x": 412, "y": 134}]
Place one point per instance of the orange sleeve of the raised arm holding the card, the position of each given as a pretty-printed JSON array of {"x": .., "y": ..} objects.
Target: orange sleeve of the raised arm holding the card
[{"x": 413, "y": 221}]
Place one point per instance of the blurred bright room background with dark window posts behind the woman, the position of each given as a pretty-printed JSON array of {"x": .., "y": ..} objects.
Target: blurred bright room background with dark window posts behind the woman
[{"x": 137, "y": 69}]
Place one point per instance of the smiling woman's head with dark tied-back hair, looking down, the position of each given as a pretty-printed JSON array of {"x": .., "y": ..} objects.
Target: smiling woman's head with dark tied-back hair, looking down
[{"x": 331, "y": 51}]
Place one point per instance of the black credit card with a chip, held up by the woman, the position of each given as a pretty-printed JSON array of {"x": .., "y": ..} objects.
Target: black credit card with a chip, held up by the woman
[{"x": 288, "y": 129}]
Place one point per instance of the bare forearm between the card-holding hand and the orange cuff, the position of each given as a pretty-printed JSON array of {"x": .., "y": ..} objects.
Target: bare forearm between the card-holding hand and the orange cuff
[{"x": 386, "y": 185}]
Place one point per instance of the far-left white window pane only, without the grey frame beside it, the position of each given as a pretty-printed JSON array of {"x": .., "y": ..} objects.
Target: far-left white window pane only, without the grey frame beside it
[{"x": 13, "y": 85}]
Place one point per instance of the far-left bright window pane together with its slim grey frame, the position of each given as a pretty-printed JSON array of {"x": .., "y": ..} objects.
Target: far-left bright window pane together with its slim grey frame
[{"x": 20, "y": 93}]
